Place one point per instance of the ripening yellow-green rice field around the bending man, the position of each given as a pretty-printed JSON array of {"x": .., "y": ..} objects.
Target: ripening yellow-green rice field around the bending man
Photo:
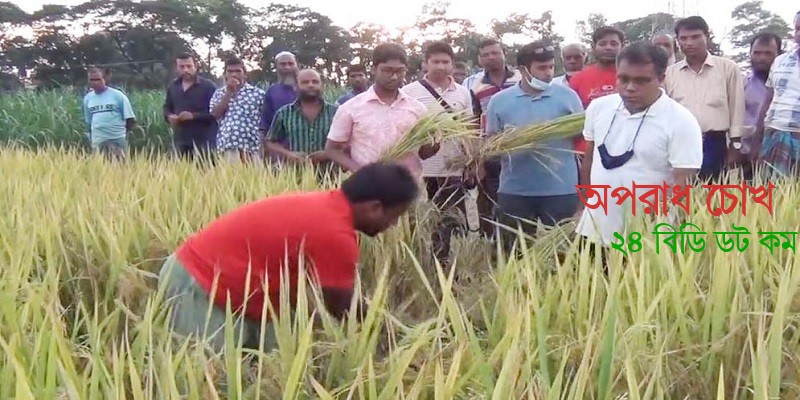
[{"x": 80, "y": 317}]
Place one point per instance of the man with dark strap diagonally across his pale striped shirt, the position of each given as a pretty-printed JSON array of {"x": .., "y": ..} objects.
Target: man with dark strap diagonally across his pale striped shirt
[{"x": 439, "y": 92}]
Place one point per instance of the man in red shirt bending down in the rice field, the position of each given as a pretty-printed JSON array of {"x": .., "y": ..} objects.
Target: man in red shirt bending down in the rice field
[{"x": 264, "y": 242}]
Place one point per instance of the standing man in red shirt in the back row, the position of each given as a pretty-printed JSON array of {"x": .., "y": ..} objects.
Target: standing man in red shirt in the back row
[{"x": 599, "y": 79}]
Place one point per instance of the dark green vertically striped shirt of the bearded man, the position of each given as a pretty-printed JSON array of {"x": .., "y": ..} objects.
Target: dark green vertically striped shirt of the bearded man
[{"x": 299, "y": 134}]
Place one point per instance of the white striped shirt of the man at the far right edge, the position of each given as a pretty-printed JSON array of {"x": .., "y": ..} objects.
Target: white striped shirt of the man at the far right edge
[{"x": 784, "y": 79}]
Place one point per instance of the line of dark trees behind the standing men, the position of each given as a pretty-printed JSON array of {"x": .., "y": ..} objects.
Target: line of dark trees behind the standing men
[{"x": 138, "y": 40}]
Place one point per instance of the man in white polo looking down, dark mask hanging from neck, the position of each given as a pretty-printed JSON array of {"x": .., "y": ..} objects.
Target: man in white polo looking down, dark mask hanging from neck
[{"x": 638, "y": 135}]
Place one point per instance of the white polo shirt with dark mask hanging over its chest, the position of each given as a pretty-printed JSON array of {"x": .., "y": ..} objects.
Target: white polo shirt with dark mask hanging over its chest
[{"x": 670, "y": 137}]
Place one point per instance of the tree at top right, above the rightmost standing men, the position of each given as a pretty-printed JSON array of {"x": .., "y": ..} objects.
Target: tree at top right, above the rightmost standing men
[{"x": 751, "y": 18}]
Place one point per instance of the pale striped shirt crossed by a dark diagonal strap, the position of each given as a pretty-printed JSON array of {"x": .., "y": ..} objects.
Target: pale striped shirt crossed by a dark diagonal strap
[{"x": 460, "y": 100}]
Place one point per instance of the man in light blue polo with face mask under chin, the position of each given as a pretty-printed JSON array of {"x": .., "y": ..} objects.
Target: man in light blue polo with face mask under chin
[{"x": 537, "y": 185}]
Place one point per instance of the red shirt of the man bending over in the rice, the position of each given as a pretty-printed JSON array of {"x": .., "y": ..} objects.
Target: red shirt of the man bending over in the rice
[{"x": 268, "y": 234}]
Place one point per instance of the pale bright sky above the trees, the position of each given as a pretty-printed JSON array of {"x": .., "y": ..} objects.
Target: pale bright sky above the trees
[{"x": 396, "y": 14}]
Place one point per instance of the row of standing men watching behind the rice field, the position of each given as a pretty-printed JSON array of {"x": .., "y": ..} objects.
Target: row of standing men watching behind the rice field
[{"x": 741, "y": 120}]
